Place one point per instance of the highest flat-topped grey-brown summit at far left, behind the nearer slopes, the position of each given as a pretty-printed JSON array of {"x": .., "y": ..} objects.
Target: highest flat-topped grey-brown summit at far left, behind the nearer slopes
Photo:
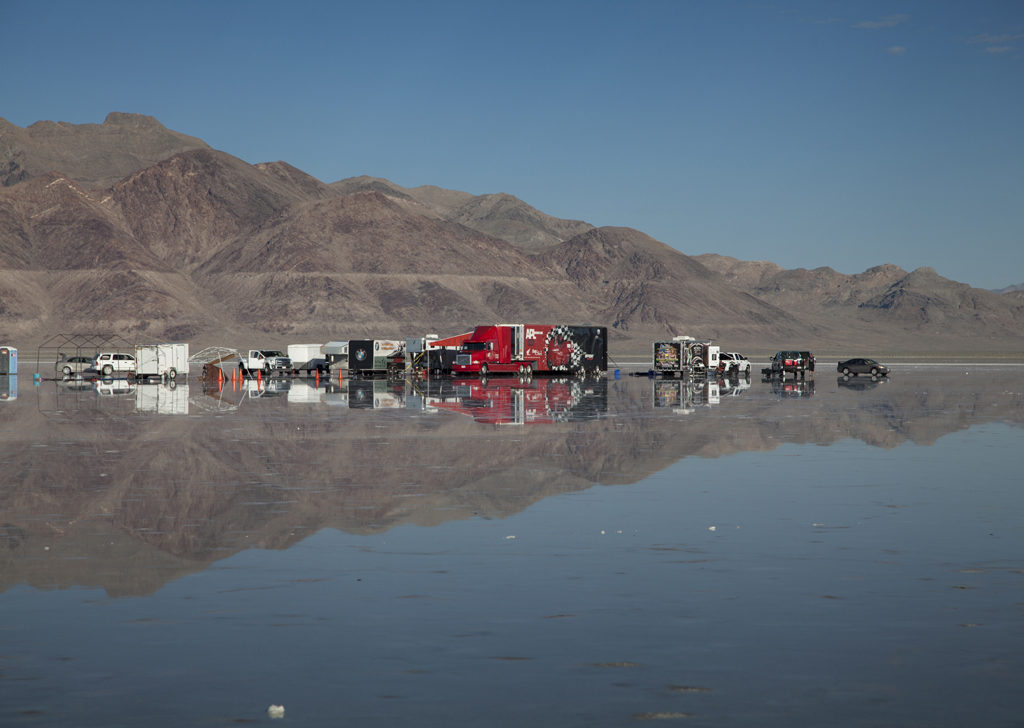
[{"x": 95, "y": 155}]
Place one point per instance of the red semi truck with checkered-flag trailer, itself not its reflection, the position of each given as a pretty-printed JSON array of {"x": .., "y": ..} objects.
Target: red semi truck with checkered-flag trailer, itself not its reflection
[{"x": 533, "y": 349}]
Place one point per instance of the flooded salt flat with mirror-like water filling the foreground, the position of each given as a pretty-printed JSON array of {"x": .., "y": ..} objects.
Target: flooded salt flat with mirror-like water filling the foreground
[{"x": 554, "y": 553}]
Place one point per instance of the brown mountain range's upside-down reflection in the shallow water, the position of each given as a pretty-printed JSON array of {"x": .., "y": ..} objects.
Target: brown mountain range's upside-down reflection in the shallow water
[{"x": 111, "y": 496}]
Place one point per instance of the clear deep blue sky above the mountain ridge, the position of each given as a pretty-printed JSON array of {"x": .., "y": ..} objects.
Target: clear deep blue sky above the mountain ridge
[{"x": 807, "y": 134}]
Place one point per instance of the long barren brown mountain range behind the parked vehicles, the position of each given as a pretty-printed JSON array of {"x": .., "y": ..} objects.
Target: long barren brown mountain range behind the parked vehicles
[{"x": 131, "y": 229}]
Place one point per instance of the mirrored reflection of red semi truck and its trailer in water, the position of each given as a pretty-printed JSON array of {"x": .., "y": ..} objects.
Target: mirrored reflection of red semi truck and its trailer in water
[{"x": 524, "y": 401}]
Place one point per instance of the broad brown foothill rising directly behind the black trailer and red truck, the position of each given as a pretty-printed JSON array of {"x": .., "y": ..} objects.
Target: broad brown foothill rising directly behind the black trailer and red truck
[{"x": 370, "y": 267}]
